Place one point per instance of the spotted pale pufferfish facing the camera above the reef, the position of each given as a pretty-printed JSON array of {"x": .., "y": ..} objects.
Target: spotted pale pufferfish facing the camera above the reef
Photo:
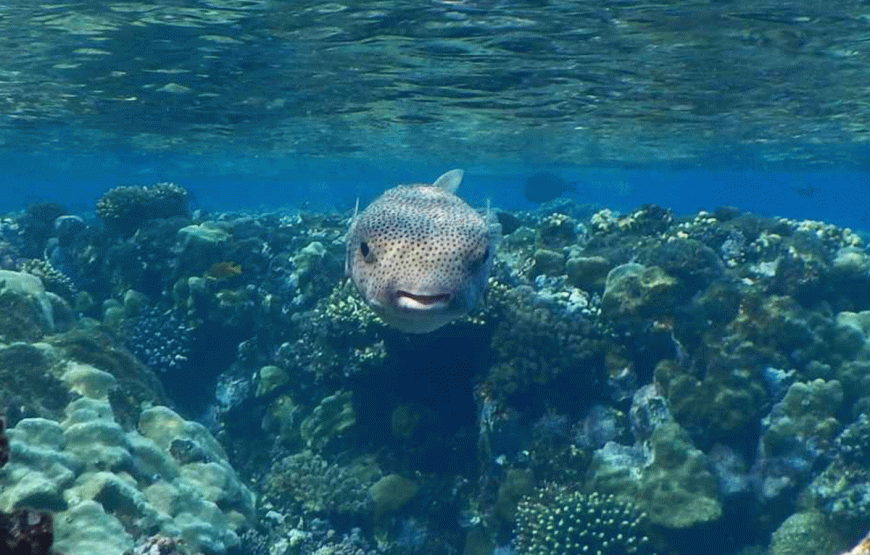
[{"x": 419, "y": 255}]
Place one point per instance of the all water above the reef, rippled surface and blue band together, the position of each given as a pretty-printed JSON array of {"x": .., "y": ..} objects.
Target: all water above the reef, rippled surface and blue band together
[{"x": 321, "y": 102}]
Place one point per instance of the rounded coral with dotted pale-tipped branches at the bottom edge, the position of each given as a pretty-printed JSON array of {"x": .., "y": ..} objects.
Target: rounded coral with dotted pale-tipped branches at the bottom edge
[{"x": 560, "y": 522}]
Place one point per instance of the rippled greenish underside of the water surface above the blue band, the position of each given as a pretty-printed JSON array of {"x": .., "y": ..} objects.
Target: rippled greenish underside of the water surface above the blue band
[{"x": 571, "y": 82}]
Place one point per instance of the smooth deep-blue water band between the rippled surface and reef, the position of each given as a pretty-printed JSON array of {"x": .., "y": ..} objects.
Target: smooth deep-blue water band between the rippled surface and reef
[{"x": 228, "y": 183}]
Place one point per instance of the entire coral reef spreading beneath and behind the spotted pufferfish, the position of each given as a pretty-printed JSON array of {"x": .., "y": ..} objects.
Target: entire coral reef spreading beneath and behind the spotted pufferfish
[{"x": 709, "y": 370}]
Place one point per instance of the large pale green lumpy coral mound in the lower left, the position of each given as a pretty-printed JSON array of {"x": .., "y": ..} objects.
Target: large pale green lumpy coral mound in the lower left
[{"x": 107, "y": 484}]
